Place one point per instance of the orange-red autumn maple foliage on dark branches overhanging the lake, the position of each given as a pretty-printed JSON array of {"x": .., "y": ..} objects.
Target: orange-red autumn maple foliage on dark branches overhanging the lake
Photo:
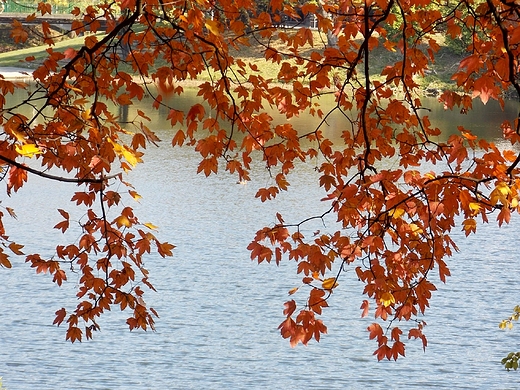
[{"x": 396, "y": 216}]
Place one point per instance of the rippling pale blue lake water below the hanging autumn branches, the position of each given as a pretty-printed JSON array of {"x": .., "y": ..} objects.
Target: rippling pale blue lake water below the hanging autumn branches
[{"x": 219, "y": 311}]
